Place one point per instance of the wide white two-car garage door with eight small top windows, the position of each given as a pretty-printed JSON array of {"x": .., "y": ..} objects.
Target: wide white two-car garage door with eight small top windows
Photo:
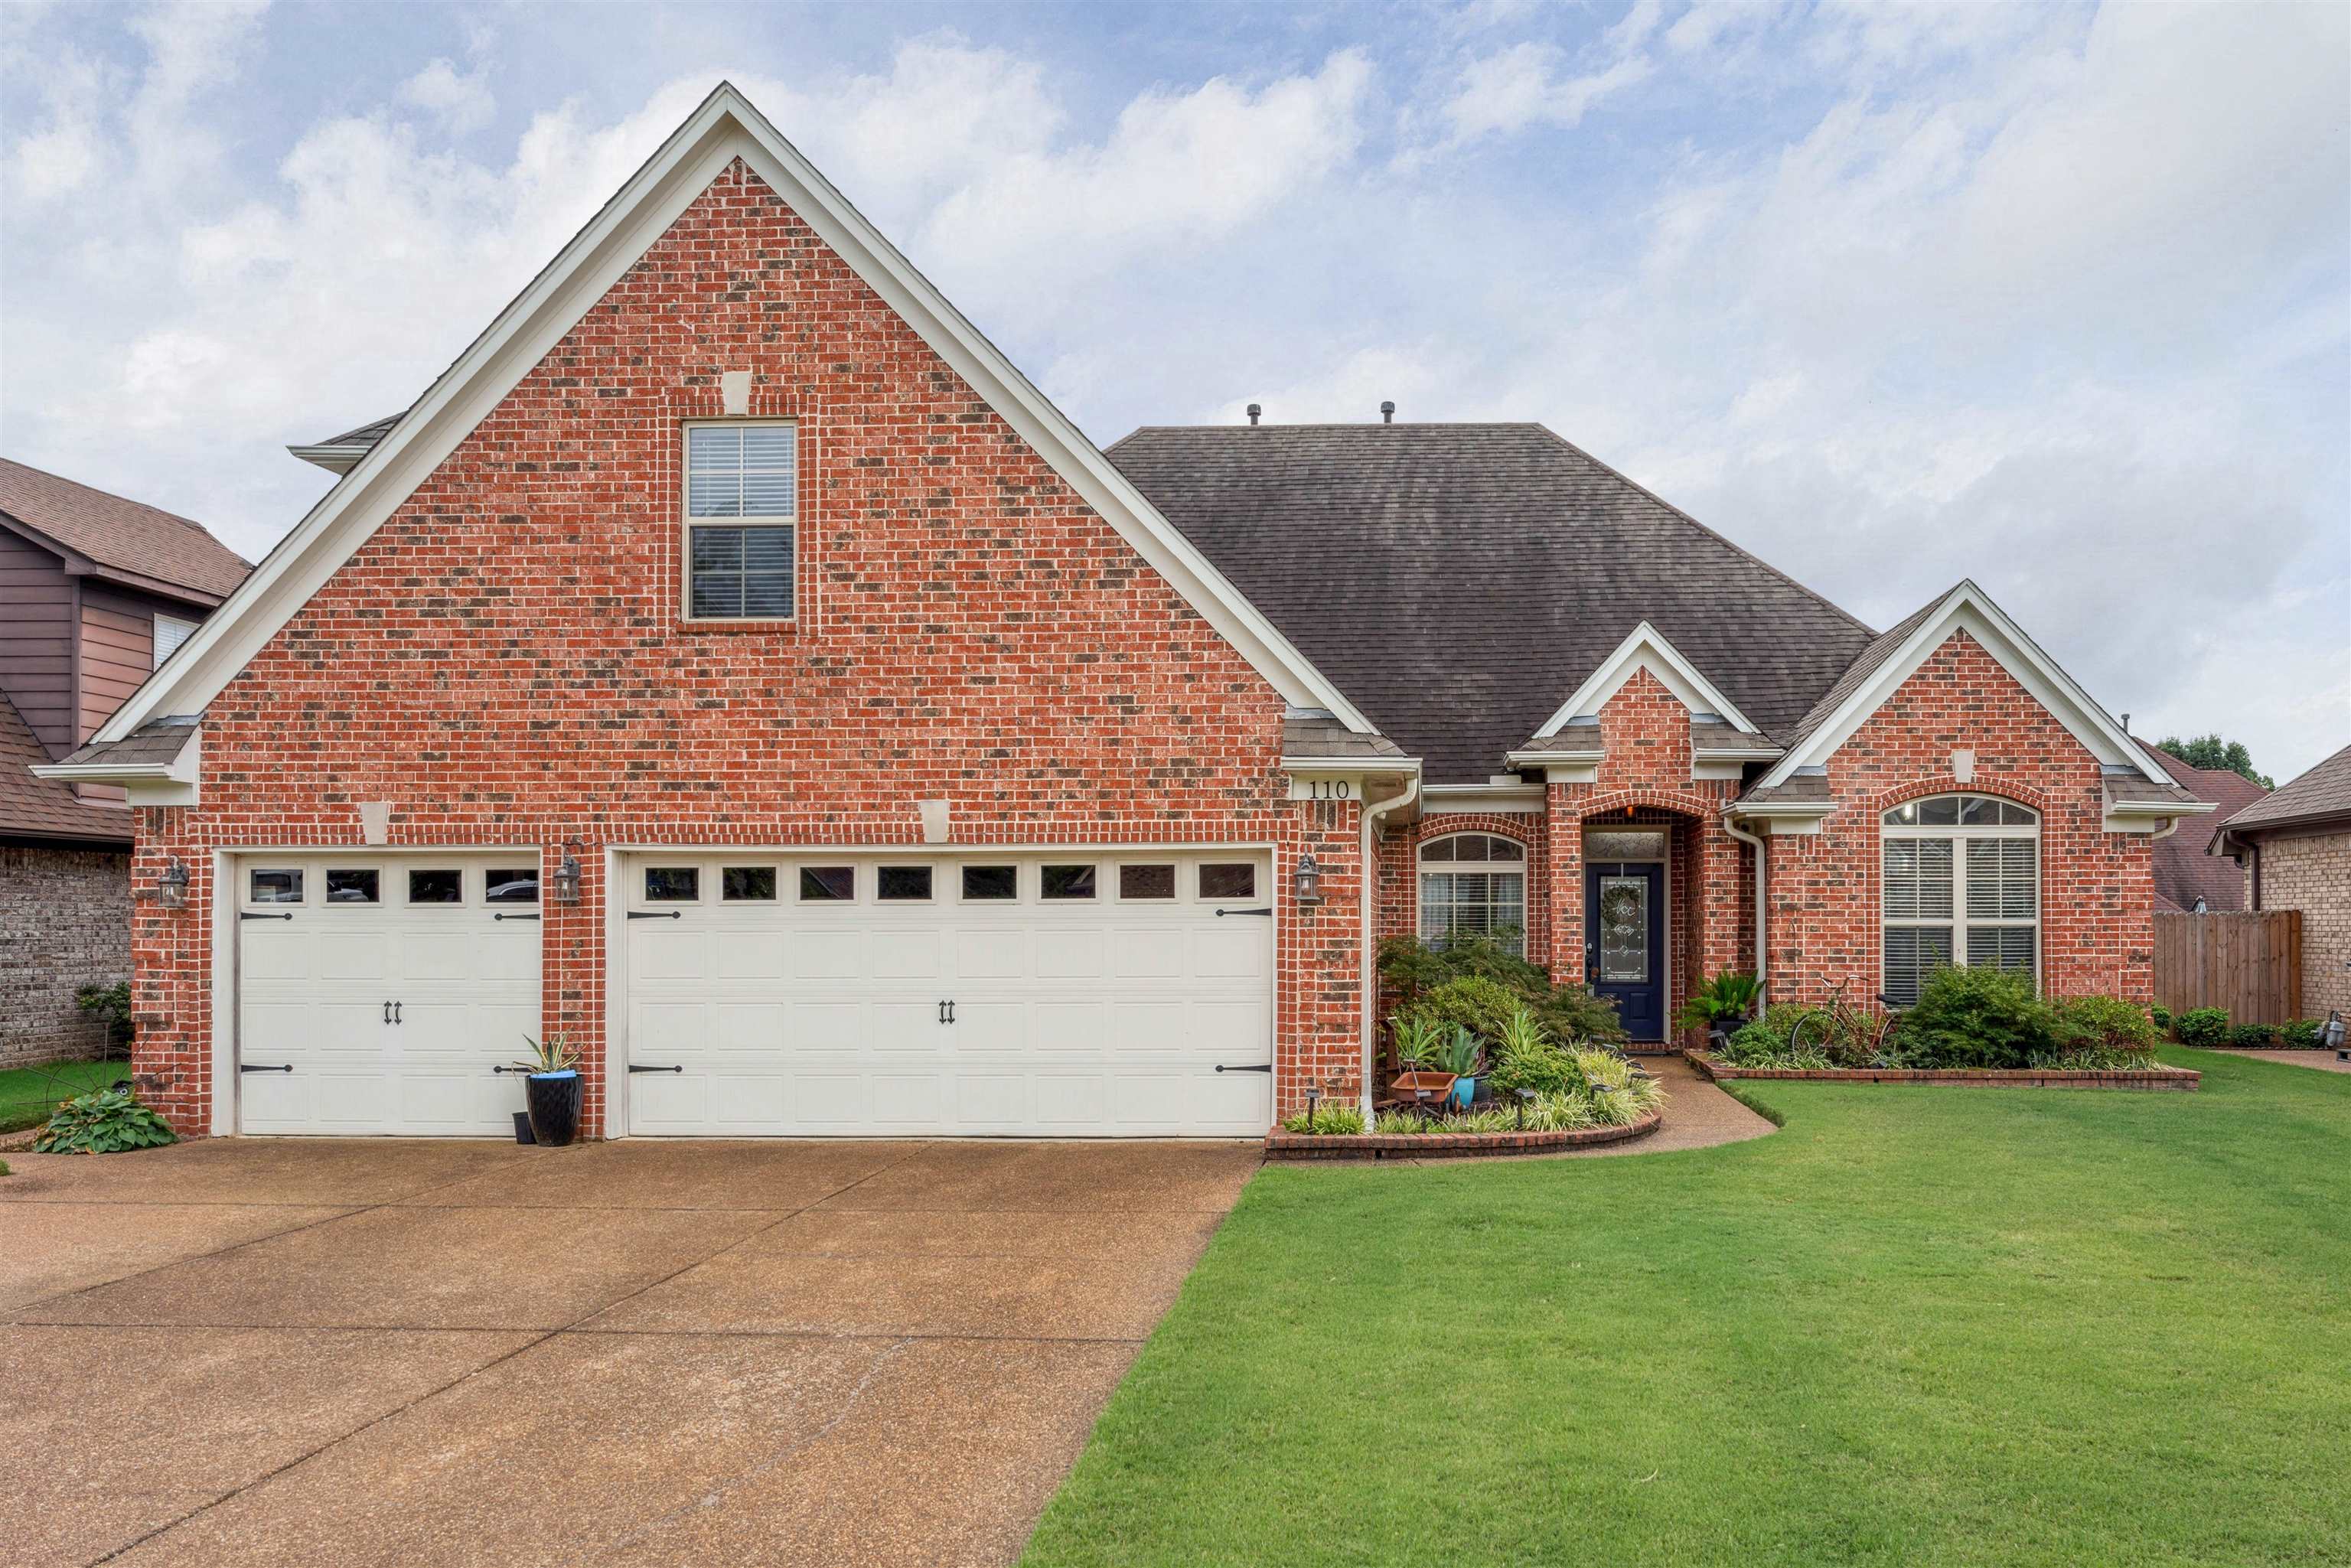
[{"x": 1059, "y": 996}]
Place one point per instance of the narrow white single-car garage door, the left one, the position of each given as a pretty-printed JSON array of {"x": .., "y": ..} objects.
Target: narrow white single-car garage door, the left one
[{"x": 380, "y": 993}]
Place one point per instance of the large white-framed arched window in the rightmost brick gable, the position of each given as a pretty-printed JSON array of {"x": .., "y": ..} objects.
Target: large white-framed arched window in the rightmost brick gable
[{"x": 1962, "y": 887}]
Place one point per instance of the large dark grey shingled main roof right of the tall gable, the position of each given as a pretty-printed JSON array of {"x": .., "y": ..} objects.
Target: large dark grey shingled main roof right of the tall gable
[{"x": 1463, "y": 579}]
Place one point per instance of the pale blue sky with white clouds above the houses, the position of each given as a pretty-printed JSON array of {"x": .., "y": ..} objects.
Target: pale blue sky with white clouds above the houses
[{"x": 2051, "y": 297}]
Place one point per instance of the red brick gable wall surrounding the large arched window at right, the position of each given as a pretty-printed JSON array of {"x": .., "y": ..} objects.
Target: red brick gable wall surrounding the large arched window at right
[{"x": 2096, "y": 887}]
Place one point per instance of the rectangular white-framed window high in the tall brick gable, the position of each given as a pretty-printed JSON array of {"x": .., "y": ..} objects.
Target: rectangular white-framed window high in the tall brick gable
[{"x": 742, "y": 521}]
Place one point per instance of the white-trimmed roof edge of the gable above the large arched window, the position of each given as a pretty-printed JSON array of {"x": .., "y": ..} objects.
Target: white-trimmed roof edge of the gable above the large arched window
[{"x": 1891, "y": 659}]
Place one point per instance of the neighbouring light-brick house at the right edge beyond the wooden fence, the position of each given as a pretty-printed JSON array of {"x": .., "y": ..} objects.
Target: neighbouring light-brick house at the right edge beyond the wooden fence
[{"x": 2293, "y": 852}]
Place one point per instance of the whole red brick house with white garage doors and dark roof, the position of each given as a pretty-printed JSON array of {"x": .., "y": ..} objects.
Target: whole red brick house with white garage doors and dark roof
[{"x": 735, "y": 666}]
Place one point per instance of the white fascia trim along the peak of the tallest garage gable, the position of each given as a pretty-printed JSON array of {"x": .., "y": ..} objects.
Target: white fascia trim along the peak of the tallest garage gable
[{"x": 721, "y": 130}]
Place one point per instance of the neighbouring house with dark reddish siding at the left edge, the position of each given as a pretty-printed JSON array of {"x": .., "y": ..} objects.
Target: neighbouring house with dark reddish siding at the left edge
[{"x": 95, "y": 591}]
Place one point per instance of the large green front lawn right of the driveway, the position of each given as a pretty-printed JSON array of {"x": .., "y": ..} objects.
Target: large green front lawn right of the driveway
[{"x": 1913, "y": 1327}]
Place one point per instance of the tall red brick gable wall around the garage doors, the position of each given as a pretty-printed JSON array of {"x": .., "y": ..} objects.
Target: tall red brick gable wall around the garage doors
[{"x": 504, "y": 659}]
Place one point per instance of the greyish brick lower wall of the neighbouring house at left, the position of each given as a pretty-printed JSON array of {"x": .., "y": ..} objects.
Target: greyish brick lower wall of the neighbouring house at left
[{"x": 65, "y": 925}]
